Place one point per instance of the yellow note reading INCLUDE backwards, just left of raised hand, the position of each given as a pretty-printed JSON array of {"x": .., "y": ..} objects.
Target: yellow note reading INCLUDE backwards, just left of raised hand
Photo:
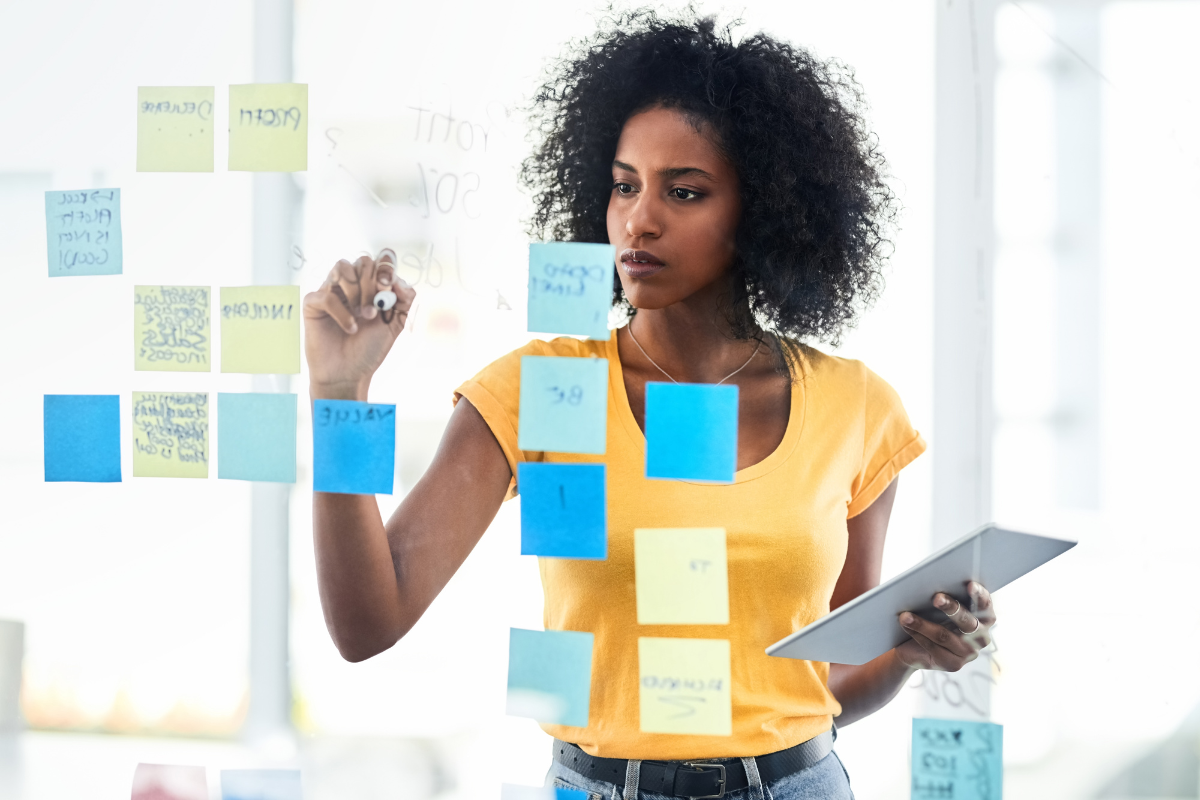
[{"x": 261, "y": 329}]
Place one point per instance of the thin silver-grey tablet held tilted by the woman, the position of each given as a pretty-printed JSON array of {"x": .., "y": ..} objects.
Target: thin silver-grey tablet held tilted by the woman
[{"x": 868, "y": 625}]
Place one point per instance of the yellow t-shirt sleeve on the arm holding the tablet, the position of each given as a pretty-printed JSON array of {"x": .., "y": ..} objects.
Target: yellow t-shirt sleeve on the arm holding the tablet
[{"x": 890, "y": 444}]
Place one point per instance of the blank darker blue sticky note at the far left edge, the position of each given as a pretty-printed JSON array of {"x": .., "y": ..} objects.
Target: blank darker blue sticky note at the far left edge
[{"x": 83, "y": 438}]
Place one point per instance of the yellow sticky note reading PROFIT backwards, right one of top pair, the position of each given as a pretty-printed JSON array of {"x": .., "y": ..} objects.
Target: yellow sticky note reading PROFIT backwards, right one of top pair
[{"x": 269, "y": 128}]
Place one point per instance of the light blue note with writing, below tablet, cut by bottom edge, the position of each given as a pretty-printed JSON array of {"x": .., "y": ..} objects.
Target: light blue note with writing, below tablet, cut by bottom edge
[{"x": 957, "y": 761}]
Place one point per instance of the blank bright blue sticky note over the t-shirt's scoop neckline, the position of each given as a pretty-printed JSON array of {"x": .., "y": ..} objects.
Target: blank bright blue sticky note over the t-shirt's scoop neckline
[{"x": 692, "y": 432}]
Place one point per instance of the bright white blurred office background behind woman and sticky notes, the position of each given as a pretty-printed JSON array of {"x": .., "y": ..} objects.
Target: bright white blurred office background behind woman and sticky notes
[{"x": 1039, "y": 324}]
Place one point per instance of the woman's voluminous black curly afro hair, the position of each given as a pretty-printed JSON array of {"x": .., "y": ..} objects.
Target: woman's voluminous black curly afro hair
[{"x": 817, "y": 208}]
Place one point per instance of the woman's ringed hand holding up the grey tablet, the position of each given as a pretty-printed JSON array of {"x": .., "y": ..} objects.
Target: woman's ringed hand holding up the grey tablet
[{"x": 938, "y": 647}]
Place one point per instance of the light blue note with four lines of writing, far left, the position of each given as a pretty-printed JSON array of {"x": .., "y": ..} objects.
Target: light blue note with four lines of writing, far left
[{"x": 83, "y": 232}]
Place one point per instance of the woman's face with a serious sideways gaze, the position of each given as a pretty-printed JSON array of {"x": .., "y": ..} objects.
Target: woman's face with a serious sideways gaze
[{"x": 674, "y": 209}]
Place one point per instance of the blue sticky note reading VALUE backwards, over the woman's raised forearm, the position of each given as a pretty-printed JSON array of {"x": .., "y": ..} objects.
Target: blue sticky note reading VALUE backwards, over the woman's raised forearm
[{"x": 353, "y": 448}]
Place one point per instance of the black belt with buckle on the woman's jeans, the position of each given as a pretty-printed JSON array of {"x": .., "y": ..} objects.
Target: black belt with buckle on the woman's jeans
[{"x": 711, "y": 778}]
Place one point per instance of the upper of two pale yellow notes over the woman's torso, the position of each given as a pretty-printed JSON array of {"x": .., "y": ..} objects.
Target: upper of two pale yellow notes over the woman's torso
[{"x": 682, "y": 578}]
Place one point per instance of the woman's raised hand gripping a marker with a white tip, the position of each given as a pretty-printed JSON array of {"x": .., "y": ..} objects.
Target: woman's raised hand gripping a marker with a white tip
[{"x": 346, "y": 336}]
